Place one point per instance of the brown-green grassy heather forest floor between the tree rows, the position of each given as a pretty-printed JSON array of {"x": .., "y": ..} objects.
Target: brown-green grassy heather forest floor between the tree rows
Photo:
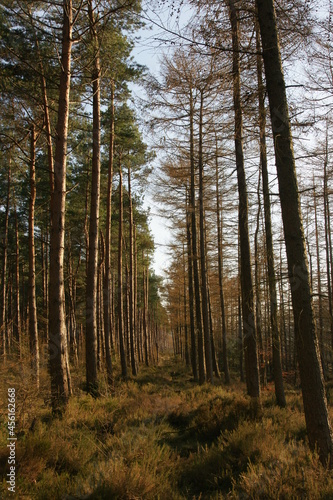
[{"x": 159, "y": 436}]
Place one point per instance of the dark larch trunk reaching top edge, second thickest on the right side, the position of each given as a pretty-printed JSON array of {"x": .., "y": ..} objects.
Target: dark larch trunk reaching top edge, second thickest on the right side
[{"x": 249, "y": 335}]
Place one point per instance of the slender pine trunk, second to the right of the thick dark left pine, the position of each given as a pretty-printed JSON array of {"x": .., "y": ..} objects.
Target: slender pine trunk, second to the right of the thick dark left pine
[{"x": 120, "y": 279}]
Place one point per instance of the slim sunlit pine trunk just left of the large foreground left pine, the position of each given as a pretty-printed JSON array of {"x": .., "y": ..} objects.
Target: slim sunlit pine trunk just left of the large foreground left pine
[{"x": 33, "y": 328}]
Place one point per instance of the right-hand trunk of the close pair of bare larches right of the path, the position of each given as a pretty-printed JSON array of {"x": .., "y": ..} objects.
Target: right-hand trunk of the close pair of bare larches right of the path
[{"x": 203, "y": 256}]
